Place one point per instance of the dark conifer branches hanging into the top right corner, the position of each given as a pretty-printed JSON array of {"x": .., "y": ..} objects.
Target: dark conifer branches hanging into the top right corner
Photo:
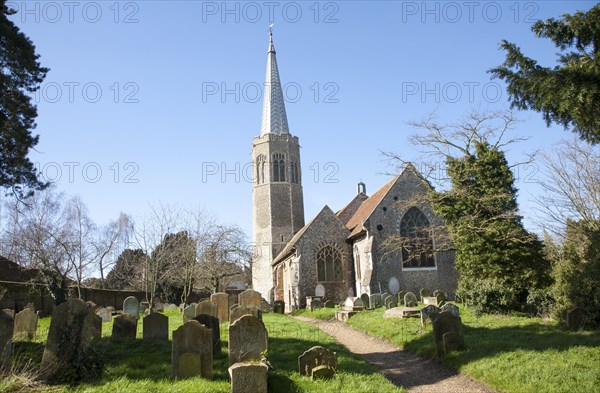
[{"x": 568, "y": 94}]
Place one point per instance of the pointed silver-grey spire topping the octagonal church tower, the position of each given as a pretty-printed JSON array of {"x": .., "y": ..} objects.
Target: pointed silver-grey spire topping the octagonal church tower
[{"x": 274, "y": 119}]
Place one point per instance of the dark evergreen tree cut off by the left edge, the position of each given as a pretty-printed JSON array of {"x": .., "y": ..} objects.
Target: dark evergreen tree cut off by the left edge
[{"x": 20, "y": 75}]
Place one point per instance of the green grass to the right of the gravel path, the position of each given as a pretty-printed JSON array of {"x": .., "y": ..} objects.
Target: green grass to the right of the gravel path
[{"x": 512, "y": 354}]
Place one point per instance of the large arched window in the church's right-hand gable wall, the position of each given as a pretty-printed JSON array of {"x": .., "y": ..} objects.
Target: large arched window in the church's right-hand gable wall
[{"x": 417, "y": 242}]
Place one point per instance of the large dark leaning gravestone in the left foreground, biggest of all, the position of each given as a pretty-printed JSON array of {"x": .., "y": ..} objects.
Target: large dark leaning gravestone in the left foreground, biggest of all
[{"x": 68, "y": 356}]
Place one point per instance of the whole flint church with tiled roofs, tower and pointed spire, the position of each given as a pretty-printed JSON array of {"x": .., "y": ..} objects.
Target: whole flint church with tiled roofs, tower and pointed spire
[{"x": 338, "y": 253}]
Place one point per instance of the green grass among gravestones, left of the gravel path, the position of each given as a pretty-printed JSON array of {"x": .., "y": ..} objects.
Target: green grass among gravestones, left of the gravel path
[{"x": 140, "y": 366}]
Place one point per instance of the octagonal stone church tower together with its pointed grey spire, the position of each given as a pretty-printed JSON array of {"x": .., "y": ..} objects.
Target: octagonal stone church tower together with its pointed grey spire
[{"x": 277, "y": 203}]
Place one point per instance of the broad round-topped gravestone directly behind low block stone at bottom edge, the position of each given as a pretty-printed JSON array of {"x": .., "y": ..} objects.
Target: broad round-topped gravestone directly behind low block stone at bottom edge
[{"x": 248, "y": 339}]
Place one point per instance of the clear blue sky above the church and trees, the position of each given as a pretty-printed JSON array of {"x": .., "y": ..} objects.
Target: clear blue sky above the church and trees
[{"x": 157, "y": 101}]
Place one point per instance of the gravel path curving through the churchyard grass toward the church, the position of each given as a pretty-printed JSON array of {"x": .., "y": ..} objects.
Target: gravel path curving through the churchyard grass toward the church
[{"x": 404, "y": 369}]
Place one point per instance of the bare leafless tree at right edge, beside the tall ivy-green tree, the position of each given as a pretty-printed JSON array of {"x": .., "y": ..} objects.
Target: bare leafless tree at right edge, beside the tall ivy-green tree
[{"x": 571, "y": 189}]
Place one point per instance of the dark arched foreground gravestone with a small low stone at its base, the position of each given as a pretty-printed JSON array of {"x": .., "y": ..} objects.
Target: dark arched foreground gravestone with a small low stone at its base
[{"x": 191, "y": 352}]
